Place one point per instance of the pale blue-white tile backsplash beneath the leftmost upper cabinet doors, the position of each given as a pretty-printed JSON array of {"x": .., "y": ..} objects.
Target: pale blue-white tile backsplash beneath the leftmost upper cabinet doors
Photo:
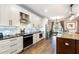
[{"x": 7, "y": 30}]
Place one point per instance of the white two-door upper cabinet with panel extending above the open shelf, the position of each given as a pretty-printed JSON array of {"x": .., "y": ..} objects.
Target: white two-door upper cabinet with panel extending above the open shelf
[{"x": 10, "y": 14}]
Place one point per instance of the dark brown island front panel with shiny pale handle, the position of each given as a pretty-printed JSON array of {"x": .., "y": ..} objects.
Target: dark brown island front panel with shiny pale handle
[{"x": 65, "y": 46}]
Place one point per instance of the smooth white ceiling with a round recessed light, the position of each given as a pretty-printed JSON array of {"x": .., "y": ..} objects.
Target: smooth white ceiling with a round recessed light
[{"x": 51, "y": 10}]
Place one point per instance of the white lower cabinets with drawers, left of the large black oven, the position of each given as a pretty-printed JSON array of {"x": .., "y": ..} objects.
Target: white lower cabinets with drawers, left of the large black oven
[{"x": 11, "y": 46}]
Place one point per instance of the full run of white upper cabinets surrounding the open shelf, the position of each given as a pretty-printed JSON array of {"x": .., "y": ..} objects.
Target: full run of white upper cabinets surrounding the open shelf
[{"x": 10, "y": 15}]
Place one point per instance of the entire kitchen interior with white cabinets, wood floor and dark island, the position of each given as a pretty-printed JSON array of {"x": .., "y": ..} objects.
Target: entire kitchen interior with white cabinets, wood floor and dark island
[{"x": 24, "y": 30}]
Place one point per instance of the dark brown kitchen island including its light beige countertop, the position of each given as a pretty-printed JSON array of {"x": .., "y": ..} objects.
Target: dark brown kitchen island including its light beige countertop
[{"x": 67, "y": 43}]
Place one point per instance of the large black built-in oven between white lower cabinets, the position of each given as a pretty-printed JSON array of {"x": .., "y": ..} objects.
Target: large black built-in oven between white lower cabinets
[{"x": 27, "y": 40}]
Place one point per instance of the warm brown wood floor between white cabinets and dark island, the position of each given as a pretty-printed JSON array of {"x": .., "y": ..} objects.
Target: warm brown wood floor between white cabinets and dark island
[{"x": 42, "y": 47}]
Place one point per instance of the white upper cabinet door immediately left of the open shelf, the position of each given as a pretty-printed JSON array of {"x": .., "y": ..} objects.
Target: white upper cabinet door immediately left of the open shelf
[{"x": 15, "y": 16}]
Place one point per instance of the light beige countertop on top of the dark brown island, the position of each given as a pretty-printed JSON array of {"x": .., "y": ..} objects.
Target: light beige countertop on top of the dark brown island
[{"x": 73, "y": 36}]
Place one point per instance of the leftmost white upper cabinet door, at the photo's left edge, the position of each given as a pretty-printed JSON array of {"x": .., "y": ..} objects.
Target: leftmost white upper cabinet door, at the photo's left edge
[{"x": 4, "y": 14}]
